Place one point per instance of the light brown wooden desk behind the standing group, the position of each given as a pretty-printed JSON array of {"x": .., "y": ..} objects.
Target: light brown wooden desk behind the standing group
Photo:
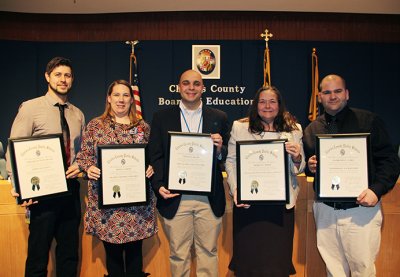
[{"x": 14, "y": 232}]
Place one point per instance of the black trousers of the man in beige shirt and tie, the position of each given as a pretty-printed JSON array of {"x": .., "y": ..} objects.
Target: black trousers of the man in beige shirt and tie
[{"x": 57, "y": 218}]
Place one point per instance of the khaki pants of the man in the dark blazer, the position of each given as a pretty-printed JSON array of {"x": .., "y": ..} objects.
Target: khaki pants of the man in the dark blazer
[{"x": 194, "y": 224}]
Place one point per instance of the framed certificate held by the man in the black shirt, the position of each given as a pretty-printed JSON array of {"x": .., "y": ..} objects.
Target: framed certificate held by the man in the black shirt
[{"x": 343, "y": 166}]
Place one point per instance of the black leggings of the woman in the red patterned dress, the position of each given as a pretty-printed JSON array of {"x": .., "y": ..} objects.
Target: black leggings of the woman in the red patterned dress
[{"x": 117, "y": 266}]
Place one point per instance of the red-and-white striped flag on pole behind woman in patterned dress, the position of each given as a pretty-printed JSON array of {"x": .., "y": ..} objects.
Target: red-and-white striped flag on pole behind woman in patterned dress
[{"x": 133, "y": 77}]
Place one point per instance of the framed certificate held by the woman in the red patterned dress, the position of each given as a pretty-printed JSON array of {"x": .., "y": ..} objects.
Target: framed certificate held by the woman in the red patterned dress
[{"x": 123, "y": 175}]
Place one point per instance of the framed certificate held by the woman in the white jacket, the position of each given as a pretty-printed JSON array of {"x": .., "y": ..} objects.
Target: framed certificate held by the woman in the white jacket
[{"x": 262, "y": 172}]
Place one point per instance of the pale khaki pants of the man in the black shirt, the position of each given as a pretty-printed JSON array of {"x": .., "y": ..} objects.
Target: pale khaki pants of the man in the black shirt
[{"x": 348, "y": 240}]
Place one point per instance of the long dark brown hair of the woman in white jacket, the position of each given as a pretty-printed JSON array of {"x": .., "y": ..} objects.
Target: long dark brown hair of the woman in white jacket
[{"x": 283, "y": 122}]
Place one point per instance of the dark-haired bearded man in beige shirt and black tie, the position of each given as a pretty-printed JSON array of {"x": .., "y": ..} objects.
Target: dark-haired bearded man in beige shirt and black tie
[{"x": 53, "y": 218}]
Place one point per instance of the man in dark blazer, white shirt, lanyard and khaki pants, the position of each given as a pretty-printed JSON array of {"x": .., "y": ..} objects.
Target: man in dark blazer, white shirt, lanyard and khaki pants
[{"x": 189, "y": 218}]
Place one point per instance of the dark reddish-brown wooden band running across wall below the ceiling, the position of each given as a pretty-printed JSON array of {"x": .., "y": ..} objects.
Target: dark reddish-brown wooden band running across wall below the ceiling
[{"x": 200, "y": 26}]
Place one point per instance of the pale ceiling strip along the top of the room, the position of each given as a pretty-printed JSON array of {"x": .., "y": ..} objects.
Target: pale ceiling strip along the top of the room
[{"x": 118, "y": 6}]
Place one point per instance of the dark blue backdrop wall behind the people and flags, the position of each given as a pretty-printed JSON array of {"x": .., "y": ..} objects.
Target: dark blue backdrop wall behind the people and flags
[{"x": 370, "y": 69}]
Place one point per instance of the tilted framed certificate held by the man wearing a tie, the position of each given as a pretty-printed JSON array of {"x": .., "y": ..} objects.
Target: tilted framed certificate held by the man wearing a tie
[{"x": 38, "y": 166}]
